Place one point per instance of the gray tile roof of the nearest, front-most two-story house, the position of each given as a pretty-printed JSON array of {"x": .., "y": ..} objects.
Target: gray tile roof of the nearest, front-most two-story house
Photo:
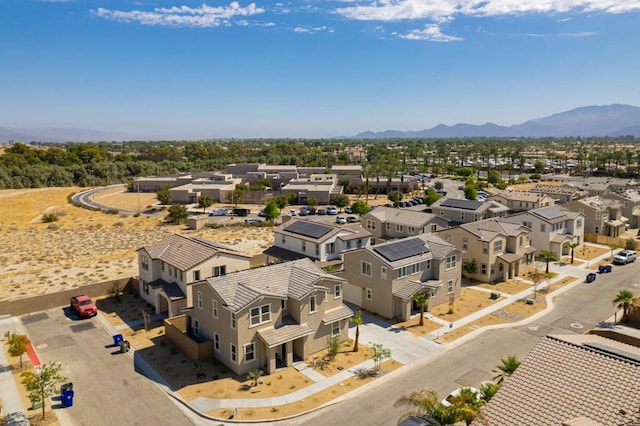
[{"x": 295, "y": 279}]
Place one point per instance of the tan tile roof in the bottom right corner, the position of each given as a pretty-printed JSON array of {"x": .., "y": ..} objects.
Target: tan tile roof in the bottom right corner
[{"x": 564, "y": 378}]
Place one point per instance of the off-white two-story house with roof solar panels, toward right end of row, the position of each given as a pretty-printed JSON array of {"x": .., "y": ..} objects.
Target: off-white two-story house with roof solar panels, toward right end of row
[{"x": 552, "y": 228}]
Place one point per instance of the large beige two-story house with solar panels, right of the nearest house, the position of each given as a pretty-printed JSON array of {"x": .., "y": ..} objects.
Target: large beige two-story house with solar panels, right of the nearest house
[{"x": 383, "y": 278}]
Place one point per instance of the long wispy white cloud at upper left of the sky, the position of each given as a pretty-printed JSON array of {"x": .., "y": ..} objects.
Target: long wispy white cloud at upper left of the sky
[{"x": 203, "y": 16}]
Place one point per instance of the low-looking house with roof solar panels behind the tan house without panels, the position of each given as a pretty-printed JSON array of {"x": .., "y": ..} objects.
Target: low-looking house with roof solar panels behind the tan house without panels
[{"x": 458, "y": 211}]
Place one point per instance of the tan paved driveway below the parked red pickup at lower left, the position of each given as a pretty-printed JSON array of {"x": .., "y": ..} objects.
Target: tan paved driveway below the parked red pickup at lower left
[{"x": 107, "y": 388}]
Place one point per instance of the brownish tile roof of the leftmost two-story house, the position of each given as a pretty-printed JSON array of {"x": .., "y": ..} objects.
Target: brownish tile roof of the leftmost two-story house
[{"x": 185, "y": 253}]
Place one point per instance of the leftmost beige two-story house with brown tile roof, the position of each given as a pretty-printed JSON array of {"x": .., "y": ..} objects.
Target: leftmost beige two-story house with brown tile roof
[{"x": 168, "y": 268}]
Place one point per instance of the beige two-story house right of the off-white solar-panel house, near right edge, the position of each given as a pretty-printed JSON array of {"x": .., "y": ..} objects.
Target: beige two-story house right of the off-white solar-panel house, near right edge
[{"x": 602, "y": 216}]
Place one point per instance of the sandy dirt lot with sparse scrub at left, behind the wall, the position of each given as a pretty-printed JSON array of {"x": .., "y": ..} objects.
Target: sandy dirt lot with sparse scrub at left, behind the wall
[{"x": 83, "y": 246}]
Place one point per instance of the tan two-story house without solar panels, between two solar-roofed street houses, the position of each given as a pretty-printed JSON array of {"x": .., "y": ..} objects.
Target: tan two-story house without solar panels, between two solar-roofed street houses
[{"x": 499, "y": 249}]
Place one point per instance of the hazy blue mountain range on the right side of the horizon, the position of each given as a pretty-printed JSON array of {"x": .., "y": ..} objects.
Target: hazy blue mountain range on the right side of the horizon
[{"x": 594, "y": 120}]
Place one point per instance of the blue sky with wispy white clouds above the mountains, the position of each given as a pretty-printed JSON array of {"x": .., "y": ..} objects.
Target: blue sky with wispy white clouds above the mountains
[{"x": 310, "y": 68}]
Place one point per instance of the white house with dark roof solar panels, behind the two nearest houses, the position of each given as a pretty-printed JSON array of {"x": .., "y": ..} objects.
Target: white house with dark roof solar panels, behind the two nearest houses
[{"x": 320, "y": 242}]
